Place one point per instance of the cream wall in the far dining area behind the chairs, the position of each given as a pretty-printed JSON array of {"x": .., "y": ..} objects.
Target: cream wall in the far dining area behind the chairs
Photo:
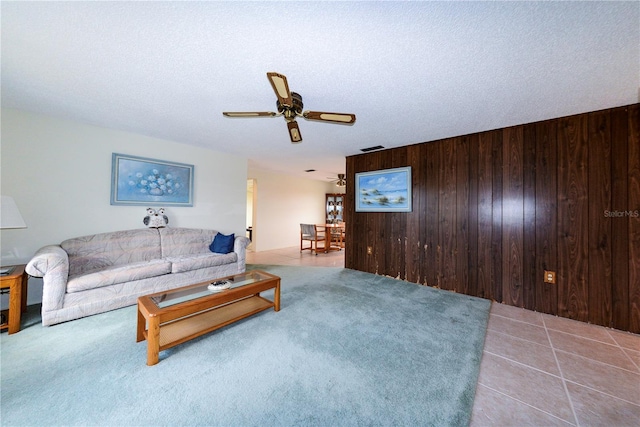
[{"x": 282, "y": 203}]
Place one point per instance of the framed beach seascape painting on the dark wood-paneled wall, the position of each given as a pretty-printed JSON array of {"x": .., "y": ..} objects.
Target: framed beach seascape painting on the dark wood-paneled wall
[{"x": 387, "y": 190}]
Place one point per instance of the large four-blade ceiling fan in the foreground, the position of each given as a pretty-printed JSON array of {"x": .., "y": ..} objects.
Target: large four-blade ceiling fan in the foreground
[{"x": 289, "y": 105}]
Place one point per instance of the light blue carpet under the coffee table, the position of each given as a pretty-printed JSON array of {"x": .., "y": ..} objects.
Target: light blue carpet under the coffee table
[{"x": 347, "y": 348}]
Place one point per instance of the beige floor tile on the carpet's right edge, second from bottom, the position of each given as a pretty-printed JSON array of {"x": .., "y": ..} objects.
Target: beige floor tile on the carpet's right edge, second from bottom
[{"x": 537, "y": 389}]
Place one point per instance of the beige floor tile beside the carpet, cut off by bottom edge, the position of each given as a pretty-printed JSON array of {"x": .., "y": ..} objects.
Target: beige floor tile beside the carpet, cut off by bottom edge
[{"x": 495, "y": 409}]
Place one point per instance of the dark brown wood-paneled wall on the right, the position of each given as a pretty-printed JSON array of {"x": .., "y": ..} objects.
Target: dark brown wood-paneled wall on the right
[{"x": 493, "y": 210}]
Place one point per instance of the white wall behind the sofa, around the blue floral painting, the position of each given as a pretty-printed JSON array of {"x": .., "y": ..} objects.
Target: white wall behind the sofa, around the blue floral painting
[{"x": 59, "y": 173}]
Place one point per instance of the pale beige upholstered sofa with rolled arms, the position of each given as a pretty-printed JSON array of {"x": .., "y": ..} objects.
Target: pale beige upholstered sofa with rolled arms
[{"x": 101, "y": 272}]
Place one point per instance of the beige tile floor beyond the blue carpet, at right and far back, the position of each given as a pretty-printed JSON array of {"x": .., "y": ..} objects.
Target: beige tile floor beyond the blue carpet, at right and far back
[{"x": 537, "y": 369}]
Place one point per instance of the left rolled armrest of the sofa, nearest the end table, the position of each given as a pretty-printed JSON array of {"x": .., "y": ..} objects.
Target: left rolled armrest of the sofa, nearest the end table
[{"x": 52, "y": 264}]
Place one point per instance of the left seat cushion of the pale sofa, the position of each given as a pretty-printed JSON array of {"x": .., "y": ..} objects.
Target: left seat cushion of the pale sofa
[{"x": 118, "y": 274}]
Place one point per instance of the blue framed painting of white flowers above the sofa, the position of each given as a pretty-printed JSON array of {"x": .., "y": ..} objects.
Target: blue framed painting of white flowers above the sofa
[{"x": 142, "y": 181}]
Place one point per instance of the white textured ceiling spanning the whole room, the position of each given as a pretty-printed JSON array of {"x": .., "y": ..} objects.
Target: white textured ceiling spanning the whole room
[{"x": 410, "y": 71}]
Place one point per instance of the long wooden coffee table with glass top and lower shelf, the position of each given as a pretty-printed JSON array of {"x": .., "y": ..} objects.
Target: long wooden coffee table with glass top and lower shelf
[{"x": 169, "y": 318}]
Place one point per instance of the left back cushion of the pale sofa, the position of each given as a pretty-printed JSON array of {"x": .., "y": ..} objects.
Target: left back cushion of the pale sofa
[{"x": 98, "y": 251}]
